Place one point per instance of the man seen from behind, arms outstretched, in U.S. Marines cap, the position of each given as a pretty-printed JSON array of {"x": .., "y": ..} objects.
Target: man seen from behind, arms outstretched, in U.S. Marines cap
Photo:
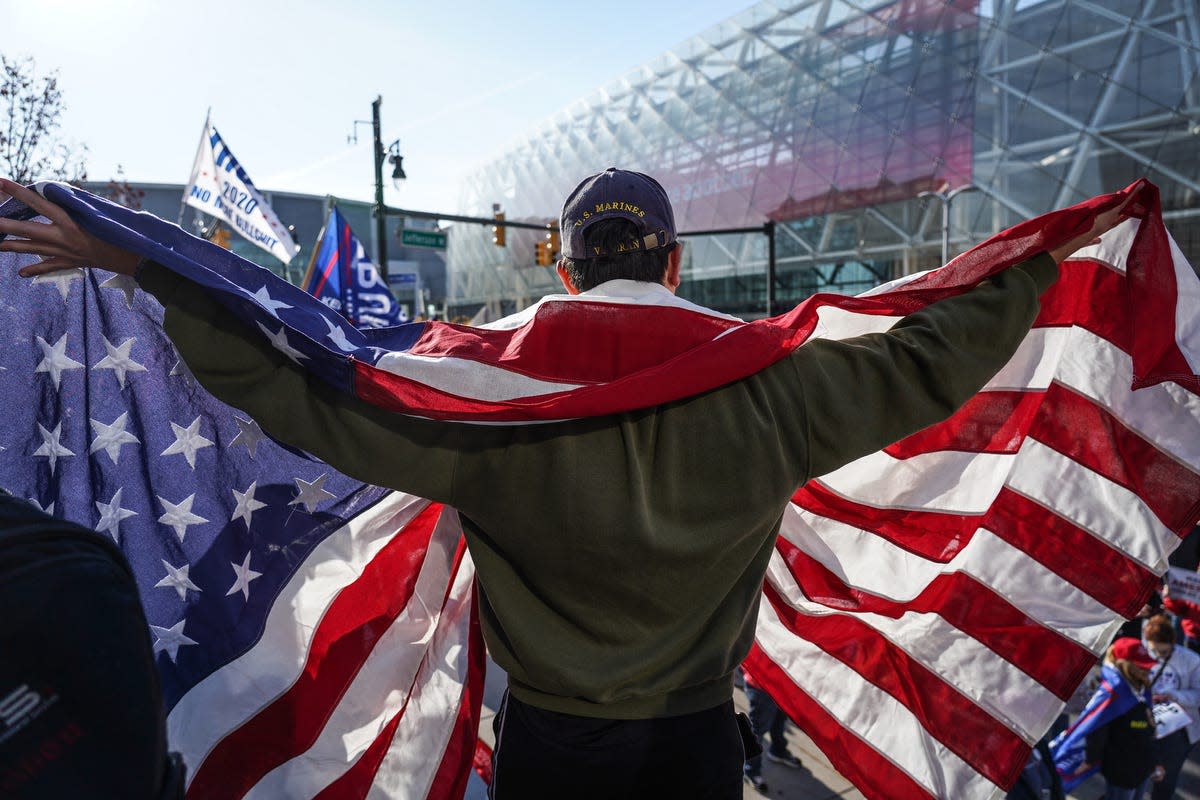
[{"x": 620, "y": 560}]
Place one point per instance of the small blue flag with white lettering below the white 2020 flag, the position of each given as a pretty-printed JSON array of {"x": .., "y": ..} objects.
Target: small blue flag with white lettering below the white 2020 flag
[{"x": 343, "y": 278}]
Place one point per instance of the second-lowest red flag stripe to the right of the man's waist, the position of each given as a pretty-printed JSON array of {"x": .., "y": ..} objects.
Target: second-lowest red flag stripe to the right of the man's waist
[{"x": 946, "y": 714}]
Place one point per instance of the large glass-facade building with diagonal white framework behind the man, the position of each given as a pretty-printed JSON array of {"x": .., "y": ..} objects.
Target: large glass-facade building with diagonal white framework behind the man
[{"x": 832, "y": 118}]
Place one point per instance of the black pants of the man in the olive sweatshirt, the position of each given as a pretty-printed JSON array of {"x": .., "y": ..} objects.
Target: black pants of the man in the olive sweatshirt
[{"x": 547, "y": 755}]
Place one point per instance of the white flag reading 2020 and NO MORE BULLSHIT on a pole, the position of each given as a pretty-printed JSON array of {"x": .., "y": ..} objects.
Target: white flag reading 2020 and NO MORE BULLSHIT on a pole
[{"x": 221, "y": 188}]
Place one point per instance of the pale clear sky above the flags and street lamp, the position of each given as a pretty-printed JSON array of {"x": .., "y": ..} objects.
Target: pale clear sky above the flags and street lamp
[{"x": 286, "y": 81}]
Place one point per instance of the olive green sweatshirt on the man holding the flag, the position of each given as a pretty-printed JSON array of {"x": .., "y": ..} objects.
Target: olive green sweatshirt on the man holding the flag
[{"x": 621, "y": 560}]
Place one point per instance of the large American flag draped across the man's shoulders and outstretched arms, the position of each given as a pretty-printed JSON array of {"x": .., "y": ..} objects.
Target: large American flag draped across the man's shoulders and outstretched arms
[{"x": 928, "y": 611}]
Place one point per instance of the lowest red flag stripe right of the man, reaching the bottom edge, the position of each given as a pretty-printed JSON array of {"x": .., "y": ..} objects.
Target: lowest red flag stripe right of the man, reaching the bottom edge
[{"x": 871, "y": 772}]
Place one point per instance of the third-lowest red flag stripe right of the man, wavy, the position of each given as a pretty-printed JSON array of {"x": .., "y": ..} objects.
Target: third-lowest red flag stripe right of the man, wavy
[{"x": 1051, "y": 659}]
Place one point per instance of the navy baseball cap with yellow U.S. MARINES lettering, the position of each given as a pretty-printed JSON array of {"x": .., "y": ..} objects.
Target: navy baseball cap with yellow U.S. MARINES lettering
[{"x": 617, "y": 194}]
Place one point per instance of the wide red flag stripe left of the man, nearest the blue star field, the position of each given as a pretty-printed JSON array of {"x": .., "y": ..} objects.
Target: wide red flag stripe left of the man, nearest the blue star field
[{"x": 362, "y": 613}]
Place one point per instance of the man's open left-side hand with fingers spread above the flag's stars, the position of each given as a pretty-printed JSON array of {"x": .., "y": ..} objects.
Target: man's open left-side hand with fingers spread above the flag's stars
[{"x": 62, "y": 244}]
